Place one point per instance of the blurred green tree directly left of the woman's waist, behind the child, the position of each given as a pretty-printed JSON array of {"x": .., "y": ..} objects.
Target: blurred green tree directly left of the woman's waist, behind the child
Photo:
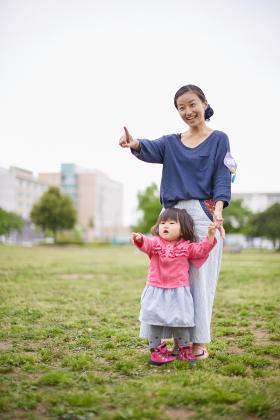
[{"x": 150, "y": 206}]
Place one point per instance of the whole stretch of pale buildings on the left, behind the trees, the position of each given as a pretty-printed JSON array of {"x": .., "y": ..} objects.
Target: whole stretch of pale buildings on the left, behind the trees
[{"x": 97, "y": 198}]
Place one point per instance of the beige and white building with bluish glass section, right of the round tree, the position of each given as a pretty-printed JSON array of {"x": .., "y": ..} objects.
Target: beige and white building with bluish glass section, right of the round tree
[{"x": 97, "y": 198}]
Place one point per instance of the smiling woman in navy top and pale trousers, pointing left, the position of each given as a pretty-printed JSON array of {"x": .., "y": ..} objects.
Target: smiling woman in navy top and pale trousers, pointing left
[{"x": 195, "y": 178}]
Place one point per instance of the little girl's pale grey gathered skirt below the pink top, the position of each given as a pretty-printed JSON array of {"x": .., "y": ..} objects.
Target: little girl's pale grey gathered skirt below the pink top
[{"x": 167, "y": 307}]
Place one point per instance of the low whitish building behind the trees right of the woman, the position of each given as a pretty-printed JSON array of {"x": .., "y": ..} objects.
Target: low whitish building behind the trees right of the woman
[{"x": 257, "y": 201}]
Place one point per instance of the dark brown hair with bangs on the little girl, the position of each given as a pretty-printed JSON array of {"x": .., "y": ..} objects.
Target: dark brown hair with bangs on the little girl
[{"x": 178, "y": 215}]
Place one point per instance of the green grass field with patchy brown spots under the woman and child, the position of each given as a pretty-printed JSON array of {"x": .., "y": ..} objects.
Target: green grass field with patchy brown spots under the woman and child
[{"x": 69, "y": 346}]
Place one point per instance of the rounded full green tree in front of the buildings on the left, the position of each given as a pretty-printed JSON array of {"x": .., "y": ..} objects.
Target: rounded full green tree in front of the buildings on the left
[{"x": 54, "y": 211}]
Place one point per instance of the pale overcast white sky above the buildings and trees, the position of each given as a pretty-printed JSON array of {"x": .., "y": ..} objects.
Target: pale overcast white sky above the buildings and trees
[{"x": 72, "y": 73}]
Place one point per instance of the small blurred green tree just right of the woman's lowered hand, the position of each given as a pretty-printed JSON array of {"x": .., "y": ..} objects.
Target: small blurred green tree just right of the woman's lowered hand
[{"x": 236, "y": 217}]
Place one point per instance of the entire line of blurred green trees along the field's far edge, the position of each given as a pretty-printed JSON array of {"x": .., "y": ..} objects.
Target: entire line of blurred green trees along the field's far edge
[{"x": 55, "y": 212}]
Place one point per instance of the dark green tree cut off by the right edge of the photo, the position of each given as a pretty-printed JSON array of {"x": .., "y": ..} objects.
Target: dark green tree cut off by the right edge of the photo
[{"x": 266, "y": 224}]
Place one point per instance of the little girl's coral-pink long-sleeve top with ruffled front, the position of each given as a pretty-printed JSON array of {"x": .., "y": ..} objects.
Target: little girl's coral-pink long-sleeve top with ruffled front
[{"x": 169, "y": 261}]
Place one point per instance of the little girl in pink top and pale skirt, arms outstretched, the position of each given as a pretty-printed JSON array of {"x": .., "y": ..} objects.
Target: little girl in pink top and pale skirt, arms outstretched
[{"x": 166, "y": 300}]
